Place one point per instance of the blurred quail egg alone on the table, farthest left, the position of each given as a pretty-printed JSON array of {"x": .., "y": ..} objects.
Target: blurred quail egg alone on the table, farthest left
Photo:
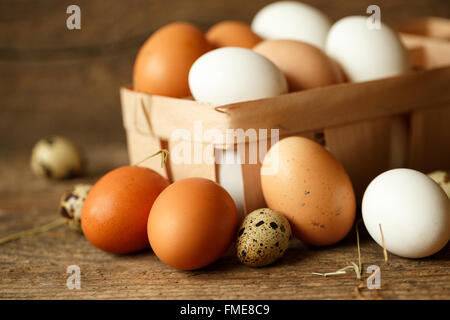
[{"x": 56, "y": 157}]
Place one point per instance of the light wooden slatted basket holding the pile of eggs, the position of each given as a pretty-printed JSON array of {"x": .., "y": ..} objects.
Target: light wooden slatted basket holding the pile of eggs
[{"x": 370, "y": 127}]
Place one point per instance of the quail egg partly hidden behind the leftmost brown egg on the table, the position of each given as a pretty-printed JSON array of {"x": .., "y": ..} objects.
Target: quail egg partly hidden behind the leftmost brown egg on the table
[{"x": 71, "y": 204}]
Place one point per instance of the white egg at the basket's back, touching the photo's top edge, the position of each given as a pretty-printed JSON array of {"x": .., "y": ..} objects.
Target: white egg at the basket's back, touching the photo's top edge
[{"x": 292, "y": 20}]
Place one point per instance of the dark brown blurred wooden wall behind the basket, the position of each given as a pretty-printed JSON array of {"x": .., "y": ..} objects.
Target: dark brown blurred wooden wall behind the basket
[{"x": 55, "y": 80}]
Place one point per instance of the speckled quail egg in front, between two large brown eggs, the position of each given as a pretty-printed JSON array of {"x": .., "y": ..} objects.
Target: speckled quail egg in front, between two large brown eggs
[{"x": 262, "y": 238}]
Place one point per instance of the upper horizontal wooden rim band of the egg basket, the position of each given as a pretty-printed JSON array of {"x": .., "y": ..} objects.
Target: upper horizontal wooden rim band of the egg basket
[{"x": 296, "y": 112}]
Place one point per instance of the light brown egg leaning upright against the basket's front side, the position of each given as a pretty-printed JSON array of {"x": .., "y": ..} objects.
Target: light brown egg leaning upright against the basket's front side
[{"x": 311, "y": 188}]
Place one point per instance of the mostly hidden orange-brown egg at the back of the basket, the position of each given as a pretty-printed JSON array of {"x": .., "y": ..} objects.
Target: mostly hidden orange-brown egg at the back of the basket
[{"x": 232, "y": 34}]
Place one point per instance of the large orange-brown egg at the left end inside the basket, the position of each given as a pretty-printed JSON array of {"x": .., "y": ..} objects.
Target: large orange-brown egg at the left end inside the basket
[{"x": 163, "y": 62}]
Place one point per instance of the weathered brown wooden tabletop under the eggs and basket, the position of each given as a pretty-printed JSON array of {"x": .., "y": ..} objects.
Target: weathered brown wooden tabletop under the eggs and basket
[{"x": 35, "y": 267}]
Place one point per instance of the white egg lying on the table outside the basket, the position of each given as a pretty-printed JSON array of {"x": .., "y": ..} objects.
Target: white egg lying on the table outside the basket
[{"x": 413, "y": 211}]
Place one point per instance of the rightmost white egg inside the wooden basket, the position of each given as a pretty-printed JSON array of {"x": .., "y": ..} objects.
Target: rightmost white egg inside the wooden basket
[{"x": 366, "y": 53}]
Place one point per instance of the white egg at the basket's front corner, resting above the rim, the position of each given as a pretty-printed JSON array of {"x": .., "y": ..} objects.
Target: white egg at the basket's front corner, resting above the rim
[{"x": 229, "y": 75}]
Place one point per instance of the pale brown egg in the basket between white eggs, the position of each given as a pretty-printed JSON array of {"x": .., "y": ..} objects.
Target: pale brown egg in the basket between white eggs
[{"x": 305, "y": 66}]
